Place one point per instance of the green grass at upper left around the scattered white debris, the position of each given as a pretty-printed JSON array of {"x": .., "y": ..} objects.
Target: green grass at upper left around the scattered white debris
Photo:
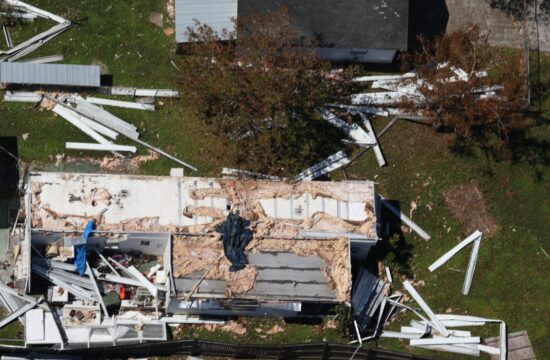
[{"x": 113, "y": 33}]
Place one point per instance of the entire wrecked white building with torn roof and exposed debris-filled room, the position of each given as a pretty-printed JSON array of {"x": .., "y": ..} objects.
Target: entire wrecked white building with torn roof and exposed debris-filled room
[{"x": 156, "y": 256}]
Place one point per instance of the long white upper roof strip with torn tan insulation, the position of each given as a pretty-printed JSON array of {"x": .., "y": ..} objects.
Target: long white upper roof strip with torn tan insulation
[{"x": 275, "y": 209}]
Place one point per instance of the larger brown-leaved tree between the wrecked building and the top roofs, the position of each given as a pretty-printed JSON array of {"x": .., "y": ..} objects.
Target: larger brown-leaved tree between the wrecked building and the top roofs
[{"x": 261, "y": 93}]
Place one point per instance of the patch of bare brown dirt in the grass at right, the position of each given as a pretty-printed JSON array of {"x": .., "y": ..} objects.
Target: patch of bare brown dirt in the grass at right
[{"x": 465, "y": 202}]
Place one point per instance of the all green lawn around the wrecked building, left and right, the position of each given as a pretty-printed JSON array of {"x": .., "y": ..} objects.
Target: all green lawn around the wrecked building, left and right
[{"x": 511, "y": 280}]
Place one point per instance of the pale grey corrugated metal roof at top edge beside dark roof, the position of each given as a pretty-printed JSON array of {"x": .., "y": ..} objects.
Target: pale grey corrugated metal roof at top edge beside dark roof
[{"x": 215, "y": 13}]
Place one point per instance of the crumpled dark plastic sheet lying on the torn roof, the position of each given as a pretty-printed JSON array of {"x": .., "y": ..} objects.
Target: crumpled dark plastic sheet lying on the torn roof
[{"x": 235, "y": 237}]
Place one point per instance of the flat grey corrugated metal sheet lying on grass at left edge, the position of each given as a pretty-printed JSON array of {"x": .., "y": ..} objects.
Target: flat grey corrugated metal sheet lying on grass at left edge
[{"x": 50, "y": 74}]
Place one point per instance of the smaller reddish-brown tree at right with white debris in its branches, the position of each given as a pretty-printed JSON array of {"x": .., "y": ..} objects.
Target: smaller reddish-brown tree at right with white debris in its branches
[{"x": 464, "y": 105}]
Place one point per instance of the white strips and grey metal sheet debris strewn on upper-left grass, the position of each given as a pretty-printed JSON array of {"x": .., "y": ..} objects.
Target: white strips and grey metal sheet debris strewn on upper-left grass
[{"x": 100, "y": 125}]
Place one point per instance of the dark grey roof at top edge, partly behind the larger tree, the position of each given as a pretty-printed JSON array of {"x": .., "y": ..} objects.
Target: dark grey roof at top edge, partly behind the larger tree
[{"x": 374, "y": 24}]
